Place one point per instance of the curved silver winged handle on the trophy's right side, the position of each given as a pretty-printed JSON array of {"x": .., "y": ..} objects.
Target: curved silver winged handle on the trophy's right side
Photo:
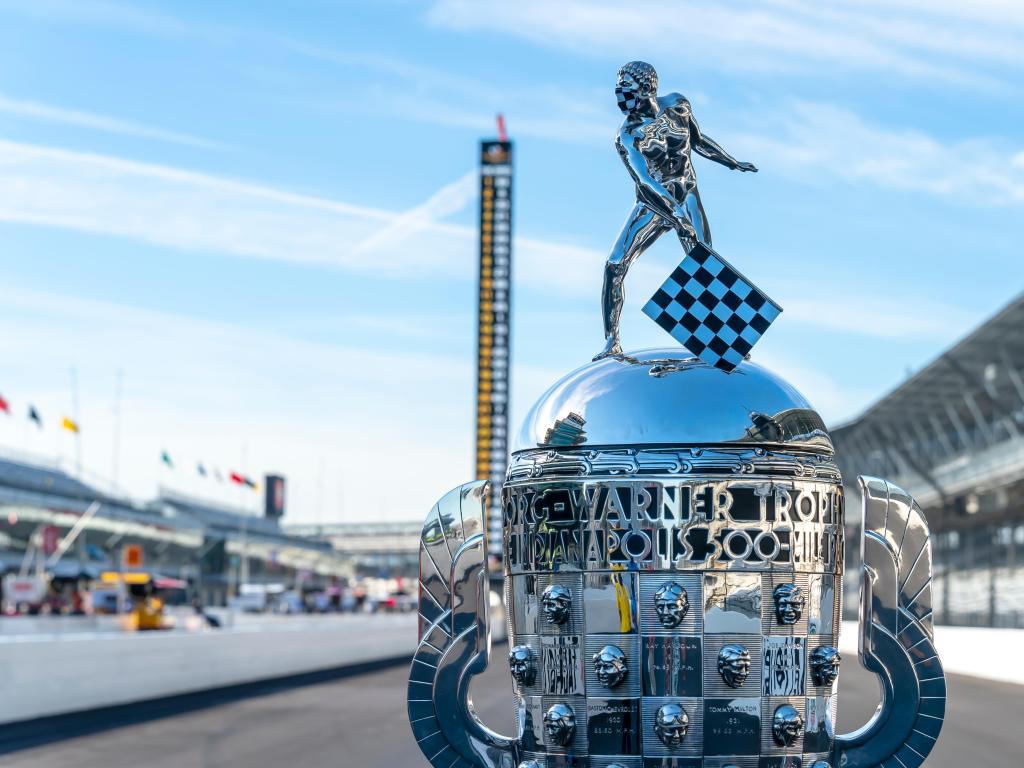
[{"x": 897, "y": 637}]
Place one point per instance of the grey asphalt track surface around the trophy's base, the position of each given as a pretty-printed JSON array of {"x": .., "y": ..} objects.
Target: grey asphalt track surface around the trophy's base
[{"x": 360, "y": 722}]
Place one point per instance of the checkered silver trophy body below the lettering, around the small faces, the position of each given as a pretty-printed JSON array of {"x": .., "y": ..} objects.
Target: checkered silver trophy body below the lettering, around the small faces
[{"x": 727, "y": 727}]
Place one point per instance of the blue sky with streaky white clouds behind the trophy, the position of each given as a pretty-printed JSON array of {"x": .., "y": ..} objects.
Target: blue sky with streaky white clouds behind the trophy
[{"x": 263, "y": 216}]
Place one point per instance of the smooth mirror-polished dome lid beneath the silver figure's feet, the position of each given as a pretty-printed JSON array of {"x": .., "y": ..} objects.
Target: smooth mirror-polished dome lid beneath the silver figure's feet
[{"x": 657, "y": 398}]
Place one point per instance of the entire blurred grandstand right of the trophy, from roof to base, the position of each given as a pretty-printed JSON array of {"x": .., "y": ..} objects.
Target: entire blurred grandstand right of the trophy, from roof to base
[{"x": 953, "y": 437}]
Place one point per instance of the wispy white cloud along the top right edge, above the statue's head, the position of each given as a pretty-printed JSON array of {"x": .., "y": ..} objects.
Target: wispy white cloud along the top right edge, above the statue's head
[{"x": 909, "y": 38}]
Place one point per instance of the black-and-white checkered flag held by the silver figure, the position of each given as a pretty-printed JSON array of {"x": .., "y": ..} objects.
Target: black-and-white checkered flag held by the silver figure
[{"x": 712, "y": 310}]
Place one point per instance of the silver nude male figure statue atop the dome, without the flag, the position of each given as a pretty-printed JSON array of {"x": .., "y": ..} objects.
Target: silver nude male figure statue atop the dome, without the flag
[{"x": 655, "y": 143}]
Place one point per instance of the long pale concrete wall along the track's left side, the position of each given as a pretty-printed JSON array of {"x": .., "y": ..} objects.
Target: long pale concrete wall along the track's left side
[{"x": 58, "y": 673}]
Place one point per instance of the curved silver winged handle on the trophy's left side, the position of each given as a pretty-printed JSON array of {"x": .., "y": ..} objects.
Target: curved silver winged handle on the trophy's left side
[{"x": 455, "y": 636}]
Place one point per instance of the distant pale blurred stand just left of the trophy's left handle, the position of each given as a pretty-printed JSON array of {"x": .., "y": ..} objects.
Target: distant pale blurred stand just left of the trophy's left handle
[{"x": 373, "y": 548}]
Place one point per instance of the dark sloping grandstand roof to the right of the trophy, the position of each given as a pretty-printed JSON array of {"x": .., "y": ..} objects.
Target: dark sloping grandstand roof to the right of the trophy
[{"x": 954, "y": 430}]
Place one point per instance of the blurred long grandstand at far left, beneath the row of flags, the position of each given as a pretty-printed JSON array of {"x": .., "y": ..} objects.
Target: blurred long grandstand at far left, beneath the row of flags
[{"x": 212, "y": 548}]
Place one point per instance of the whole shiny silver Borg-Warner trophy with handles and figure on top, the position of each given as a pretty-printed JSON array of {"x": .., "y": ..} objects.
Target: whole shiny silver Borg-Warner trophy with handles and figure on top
[{"x": 673, "y": 541}]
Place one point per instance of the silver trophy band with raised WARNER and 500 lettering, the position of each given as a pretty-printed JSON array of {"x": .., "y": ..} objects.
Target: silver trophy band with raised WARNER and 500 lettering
[{"x": 665, "y": 526}]
